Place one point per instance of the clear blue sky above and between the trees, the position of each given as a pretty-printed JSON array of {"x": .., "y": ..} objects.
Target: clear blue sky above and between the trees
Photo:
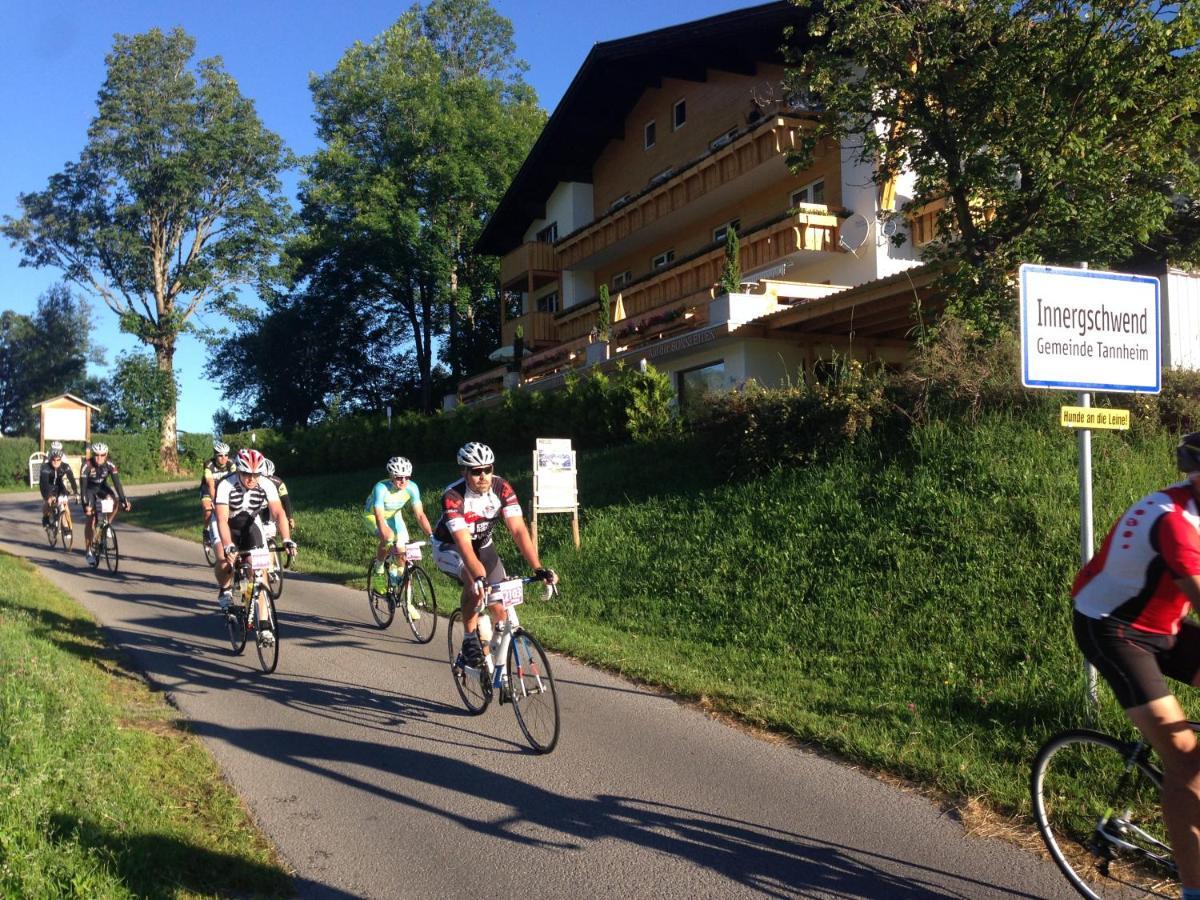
[{"x": 52, "y": 64}]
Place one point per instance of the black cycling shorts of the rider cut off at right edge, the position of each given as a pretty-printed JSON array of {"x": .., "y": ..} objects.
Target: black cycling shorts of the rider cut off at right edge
[{"x": 1135, "y": 662}]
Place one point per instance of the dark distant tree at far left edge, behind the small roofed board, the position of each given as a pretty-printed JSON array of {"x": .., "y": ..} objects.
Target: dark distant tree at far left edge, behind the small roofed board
[{"x": 44, "y": 356}]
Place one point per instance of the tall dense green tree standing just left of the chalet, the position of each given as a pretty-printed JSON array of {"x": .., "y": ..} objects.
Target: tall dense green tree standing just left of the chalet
[{"x": 424, "y": 129}]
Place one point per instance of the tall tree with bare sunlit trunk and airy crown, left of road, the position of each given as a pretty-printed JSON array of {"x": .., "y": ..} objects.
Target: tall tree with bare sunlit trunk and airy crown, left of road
[{"x": 175, "y": 201}]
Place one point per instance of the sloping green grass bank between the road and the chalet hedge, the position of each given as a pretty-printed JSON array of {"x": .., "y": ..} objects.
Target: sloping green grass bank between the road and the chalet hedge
[{"x": 903, "y": 603}]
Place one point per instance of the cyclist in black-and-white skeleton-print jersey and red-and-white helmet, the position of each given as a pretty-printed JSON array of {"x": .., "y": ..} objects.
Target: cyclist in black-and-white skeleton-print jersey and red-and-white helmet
[{"x": 239, "y": 500}]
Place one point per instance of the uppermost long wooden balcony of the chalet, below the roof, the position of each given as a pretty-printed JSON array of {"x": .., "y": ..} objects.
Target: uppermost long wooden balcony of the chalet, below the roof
[{"x": 767, "y": 143}]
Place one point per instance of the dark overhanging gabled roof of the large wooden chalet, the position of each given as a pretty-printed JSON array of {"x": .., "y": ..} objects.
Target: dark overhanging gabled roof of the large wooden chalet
[{"x": 610, "y": 82}]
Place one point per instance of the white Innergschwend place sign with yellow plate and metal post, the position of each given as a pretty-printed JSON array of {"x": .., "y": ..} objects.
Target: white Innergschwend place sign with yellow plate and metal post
[{"x": 1090, "y": 332}]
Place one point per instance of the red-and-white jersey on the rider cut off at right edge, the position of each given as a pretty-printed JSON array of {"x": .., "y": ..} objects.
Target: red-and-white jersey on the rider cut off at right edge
[{"x": 1132, "y": 579}]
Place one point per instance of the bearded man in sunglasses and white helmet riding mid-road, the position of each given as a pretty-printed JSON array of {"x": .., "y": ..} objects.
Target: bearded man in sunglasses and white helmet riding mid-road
[{"x": 464, "y": 547}]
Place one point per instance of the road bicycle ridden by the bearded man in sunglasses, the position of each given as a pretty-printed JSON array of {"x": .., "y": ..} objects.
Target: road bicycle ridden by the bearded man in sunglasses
[{"x": 515, "y": 668}]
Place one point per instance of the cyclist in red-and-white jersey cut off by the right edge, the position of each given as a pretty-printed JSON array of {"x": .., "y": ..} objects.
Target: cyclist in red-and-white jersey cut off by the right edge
[{"x": 1131, "y": 602}]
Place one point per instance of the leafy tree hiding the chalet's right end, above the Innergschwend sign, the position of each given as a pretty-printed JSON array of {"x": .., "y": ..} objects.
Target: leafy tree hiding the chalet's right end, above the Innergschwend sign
[{"x": 1054, "y": 130}]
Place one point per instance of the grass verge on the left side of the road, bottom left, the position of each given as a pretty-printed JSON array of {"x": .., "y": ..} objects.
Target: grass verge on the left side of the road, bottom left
[{"x": 103, "y": 790}]
